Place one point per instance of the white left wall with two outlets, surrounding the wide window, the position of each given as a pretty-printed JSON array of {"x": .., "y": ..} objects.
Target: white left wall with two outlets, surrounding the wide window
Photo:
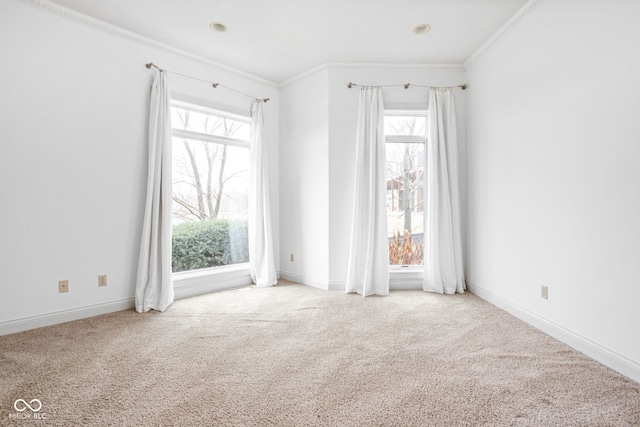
[{"x": 74, "y": 157}]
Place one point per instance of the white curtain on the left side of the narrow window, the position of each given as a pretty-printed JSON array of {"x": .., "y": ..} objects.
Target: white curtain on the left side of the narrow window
[{"x": 368, "y": 265}]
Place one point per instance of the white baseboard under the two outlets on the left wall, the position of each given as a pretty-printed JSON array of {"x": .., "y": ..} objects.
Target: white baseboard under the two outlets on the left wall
[{"x": 48, "y": 319}]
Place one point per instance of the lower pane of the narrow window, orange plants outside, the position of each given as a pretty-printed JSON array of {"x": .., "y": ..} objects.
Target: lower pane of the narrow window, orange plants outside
[{"x": 405, "y": 192}]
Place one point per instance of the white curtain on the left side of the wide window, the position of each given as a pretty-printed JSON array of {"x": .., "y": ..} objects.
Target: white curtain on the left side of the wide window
[{"x": 154, "y": 286}]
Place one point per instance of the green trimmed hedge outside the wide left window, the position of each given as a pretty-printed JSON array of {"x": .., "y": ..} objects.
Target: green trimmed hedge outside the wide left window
[{"x": 209, "y": 243}]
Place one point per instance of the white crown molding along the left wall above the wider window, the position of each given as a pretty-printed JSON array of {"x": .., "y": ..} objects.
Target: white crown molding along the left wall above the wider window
[{"x": 114, "y": 30}]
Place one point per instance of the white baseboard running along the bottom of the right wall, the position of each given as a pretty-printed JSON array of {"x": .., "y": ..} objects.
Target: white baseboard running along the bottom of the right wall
[{"x": 606, "y": 356}]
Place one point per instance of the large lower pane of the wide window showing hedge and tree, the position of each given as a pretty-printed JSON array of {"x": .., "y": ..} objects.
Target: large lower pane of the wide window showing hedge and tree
[{"x": 210, "y": 204}]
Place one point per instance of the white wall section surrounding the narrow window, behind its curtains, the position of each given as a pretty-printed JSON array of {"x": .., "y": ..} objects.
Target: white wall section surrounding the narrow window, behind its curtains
[{"x": 343, "y": 109}]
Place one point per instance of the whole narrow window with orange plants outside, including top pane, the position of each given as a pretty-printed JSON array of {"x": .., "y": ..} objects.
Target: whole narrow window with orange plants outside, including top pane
[{"x": 405, "y": 140}]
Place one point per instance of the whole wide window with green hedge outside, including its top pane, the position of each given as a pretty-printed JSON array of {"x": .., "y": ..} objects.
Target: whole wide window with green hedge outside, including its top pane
[{"x": 210, "y": 187}]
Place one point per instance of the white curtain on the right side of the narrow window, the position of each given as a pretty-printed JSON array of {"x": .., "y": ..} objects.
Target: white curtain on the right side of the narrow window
[{"x": 443, "y": 243}]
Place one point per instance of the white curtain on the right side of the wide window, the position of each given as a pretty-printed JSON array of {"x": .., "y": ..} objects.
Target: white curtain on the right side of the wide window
[{"x": 261, "y": 255}]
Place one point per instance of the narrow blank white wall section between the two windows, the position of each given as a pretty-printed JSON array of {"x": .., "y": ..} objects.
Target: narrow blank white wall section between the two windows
[{"x": 304, "y": 179}]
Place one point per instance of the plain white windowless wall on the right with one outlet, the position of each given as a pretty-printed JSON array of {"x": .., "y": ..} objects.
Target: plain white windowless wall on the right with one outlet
[{"x": 553, "y": 174}]
